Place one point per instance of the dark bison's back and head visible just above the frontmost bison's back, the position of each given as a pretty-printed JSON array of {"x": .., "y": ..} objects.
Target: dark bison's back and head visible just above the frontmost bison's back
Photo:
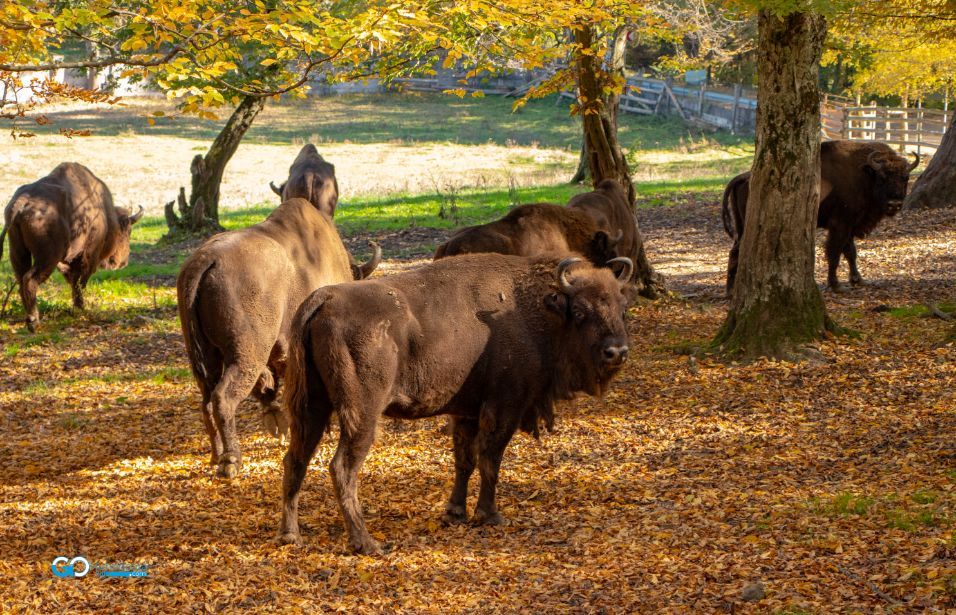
[{"x": 533, "y": 230}]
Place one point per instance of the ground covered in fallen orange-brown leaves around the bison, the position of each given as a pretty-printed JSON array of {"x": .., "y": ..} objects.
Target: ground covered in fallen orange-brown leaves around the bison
[{"x": 831, "y": 486}]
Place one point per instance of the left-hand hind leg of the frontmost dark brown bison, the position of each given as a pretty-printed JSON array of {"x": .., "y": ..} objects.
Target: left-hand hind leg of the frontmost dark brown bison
[{"x": 295, "y": 463}]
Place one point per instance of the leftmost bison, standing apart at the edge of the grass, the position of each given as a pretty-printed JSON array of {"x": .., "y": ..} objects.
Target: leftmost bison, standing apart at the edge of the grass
[{"x": 65, "y": 220}]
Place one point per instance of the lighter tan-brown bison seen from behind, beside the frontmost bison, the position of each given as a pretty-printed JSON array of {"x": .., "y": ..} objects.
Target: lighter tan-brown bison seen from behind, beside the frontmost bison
[{"x": 237, "y": 294}]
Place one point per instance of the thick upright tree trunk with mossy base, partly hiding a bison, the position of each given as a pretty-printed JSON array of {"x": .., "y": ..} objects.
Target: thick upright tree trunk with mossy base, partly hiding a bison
[{"x": 775, "y": 305}]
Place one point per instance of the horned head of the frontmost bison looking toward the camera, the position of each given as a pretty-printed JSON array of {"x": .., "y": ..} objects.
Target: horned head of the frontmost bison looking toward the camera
[{"x": 591, "y": 305}]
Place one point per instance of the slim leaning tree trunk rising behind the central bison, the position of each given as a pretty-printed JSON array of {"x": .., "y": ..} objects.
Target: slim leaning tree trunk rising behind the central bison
[{"x": 605, "y": 157}]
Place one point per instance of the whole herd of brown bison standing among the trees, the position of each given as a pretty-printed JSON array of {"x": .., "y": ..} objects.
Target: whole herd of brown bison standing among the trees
[{"x": 512, "y": 316}]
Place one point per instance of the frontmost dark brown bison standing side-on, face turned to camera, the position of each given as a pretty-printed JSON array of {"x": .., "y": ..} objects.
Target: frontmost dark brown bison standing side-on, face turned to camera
[{"x": 492, "y": 340}]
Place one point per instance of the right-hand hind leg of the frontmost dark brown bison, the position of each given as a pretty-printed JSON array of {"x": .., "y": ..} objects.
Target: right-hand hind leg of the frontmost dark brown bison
[{"x": 353, "y": 447}]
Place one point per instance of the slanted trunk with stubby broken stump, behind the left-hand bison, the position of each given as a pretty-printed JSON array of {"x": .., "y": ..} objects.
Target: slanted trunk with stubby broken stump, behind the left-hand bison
[{"x": 200, "y": 214}]
